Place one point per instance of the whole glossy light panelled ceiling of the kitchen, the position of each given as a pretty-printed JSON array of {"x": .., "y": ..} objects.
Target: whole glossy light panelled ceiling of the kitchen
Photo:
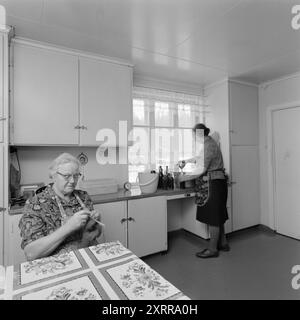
[{"x": 195, "y": 42}]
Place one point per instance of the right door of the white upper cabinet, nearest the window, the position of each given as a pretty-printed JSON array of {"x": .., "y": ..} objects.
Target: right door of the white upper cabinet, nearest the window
[{"x": 105, "y": 98}]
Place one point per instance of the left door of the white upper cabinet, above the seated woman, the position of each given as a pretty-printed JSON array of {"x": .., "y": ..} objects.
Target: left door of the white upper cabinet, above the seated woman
[{"x": 45, "y": 96}]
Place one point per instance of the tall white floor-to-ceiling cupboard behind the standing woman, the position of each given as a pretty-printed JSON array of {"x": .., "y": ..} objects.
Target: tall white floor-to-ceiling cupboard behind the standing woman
[{"x": 234, "y": 117}]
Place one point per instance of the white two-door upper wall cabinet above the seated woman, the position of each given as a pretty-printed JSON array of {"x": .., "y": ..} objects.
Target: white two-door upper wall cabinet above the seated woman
[{"x": 62, "y": 97}]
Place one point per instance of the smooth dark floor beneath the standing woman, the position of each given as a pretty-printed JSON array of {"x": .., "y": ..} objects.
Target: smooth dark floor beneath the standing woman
[{"x": 257, "y": 267}]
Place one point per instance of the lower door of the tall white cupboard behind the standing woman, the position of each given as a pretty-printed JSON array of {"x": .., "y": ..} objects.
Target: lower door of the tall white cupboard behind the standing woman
[{"x": 245, "y": 190}]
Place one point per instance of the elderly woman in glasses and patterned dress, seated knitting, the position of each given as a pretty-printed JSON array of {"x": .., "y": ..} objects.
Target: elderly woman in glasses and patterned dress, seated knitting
[{"x": 59, "y": 217}]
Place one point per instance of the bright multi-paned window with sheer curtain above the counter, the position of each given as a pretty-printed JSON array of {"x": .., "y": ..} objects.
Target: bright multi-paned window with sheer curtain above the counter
[{"x": 162, "y": 129}]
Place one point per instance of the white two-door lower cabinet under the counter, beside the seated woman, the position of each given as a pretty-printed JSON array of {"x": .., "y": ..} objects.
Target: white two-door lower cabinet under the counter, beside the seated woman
[{"x": 140, "y": 224}]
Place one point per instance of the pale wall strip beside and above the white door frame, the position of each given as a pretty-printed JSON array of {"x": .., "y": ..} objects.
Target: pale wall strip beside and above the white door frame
[{"x": 281, "y": 91}]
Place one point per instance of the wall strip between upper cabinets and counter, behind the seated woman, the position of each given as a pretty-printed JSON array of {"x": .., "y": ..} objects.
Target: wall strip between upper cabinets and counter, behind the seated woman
[{"x": 34, "y": 162}]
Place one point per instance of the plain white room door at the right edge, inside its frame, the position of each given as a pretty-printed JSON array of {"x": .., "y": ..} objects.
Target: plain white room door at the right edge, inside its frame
[{"x": 286, "y": 157}]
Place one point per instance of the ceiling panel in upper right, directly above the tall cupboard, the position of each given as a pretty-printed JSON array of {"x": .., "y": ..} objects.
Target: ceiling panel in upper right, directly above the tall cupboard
[{"x": 252, "y": 33}]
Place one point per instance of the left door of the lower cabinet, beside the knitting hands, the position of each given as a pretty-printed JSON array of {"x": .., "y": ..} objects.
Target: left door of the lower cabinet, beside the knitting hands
[{"x": 114, "y": 217}]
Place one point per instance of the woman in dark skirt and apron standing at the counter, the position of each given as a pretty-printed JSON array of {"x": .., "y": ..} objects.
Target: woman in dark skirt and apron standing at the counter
[{"x": 214, "y": 211}]
